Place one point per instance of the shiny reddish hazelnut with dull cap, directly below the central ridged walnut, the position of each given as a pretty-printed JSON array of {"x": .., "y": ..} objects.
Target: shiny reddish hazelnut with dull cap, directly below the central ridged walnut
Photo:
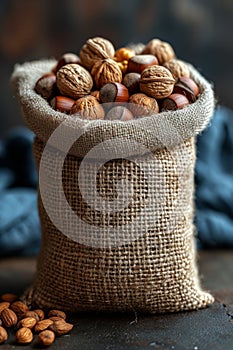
[{"x": 114, "y": 92}]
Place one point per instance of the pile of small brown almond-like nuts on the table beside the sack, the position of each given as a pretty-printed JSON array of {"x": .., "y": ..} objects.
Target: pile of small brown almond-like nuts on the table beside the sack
[{"x": 27, "y": 323}]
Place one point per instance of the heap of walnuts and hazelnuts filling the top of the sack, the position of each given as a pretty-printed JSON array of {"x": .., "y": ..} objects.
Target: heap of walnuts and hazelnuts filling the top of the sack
[{"x": 141, "y": 80}]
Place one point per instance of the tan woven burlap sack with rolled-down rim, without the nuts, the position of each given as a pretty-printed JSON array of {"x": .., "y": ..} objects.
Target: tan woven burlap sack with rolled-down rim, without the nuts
[{"x": 141, "y": 256}]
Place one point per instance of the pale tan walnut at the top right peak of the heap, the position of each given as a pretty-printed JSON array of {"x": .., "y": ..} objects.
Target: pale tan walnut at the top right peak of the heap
[{"x": 161, "y": 49}]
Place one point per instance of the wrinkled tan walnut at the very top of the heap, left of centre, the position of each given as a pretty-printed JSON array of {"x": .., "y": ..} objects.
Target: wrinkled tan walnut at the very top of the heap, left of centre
[{"x": 96, "y": 49}]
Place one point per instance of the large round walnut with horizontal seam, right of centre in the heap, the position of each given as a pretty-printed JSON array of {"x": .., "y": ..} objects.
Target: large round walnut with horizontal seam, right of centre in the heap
[{"x": 157, "y": 82}]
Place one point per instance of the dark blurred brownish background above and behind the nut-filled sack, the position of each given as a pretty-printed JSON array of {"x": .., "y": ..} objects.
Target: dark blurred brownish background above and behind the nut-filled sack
[{"x": 200, "y": 31}]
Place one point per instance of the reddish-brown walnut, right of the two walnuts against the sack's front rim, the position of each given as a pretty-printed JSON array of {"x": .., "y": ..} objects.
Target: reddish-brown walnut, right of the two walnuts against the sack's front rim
[{"x": 143, "y": 105}]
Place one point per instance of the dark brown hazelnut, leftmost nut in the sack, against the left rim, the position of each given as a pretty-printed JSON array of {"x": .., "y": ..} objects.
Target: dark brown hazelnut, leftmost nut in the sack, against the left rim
[{"x": 46, "y": 86}]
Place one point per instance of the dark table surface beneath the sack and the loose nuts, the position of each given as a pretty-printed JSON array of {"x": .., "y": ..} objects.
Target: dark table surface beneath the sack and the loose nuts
[{"x": 211, "y": 328}]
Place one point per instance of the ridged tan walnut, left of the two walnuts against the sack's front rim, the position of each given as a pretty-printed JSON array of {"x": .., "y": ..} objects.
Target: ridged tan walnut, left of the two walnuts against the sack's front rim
[{"x": 88, "y": 108}]
